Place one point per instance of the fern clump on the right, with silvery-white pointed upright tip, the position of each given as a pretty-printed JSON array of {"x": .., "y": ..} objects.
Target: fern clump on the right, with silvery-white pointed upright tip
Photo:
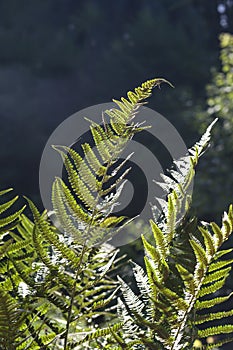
[{"x": 166, "y": 312}]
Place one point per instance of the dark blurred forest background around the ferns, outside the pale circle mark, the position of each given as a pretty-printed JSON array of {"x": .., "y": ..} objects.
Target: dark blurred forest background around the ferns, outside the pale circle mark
[{"x": 59, "y": 56}]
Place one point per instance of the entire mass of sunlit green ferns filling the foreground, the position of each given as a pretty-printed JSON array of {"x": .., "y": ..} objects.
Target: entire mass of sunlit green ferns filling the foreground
[{"x": 58, "y": 285}]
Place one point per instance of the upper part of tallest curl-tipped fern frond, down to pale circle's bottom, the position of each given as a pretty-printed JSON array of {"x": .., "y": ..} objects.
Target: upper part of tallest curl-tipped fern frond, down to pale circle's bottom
[{"x": 91, "y": 222}]
